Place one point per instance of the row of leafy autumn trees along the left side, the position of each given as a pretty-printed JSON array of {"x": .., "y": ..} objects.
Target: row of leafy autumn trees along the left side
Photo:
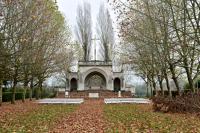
[{"x": 33, "y": 37}]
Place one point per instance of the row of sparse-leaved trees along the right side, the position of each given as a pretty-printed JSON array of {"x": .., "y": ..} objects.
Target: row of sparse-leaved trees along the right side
[{"x": 161, "y": 40}]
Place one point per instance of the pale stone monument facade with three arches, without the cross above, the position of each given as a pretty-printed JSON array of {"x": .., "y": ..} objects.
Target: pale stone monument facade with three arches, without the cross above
[{"x": 91, "y": 72}]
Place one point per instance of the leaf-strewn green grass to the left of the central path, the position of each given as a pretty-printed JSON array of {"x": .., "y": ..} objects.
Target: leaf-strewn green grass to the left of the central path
[{"x": 39, "y": 120}]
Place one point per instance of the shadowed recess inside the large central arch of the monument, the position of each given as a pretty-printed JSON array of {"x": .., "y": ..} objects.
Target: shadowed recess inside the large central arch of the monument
[{"x": 95, "y": 81}]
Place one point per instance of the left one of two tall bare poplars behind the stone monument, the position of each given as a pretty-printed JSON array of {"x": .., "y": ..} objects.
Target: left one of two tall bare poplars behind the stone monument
[{"x": 84, "y": 28}]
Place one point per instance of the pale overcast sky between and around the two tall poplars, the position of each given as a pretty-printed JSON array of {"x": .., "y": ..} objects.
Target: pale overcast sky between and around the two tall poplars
[{"x": 69, "y": 10}]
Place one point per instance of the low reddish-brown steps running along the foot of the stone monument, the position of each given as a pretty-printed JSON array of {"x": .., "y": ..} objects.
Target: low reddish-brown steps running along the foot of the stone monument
[{"x": 102, "y": 94}]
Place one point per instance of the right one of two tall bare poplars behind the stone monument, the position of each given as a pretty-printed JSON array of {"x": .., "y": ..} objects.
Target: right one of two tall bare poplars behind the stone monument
[{"x": 105, "y": 31}]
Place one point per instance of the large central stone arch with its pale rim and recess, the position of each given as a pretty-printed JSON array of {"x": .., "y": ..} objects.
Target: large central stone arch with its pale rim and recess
[{"x": 95, "y": 79}]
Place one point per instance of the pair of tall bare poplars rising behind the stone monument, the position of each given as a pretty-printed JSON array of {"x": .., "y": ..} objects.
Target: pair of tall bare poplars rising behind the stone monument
[{"x": 104, "y": 31}]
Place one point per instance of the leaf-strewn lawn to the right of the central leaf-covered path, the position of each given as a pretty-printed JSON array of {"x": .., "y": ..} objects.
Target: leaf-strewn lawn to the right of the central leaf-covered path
[{"x": 140, "y": 118}]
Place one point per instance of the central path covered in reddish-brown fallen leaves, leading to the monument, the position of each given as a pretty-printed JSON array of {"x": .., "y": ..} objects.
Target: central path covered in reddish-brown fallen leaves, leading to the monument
[{"x": 87, "y": 119}]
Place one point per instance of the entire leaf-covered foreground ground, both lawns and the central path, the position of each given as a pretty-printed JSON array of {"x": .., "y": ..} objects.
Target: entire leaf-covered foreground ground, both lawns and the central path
[{"x": 92, "y": 116}]
